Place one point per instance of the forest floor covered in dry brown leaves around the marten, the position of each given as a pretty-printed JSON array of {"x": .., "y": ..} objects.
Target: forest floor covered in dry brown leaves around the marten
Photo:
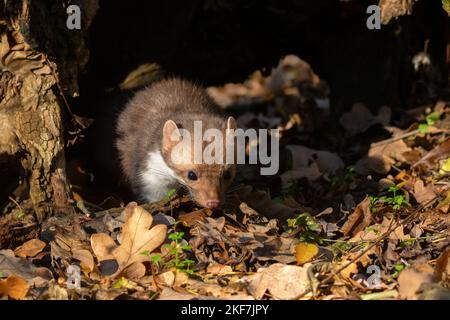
[{"x": 358, "y": 210}]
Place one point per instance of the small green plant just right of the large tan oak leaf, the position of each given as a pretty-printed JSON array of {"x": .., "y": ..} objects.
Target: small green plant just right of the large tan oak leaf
[{"x": 175, "y": 250}]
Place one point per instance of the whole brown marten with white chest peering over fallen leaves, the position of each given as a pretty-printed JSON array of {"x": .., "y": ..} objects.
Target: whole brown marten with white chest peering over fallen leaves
[{"x": 144, "y": 146}]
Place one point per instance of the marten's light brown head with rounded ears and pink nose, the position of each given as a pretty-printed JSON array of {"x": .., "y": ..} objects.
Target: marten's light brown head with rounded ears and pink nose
[{"x": 198, "y": 157}]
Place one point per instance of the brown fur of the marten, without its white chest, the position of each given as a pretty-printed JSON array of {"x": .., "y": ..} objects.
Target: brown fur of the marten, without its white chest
[{"x": 140, "y": 131}]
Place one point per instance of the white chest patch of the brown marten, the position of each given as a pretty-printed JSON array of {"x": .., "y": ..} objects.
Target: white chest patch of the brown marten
[{"x": 157, "y": 178}]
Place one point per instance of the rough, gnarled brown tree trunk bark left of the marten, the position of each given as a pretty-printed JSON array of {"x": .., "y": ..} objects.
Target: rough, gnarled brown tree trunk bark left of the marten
[{"x": 32, "y": 86}]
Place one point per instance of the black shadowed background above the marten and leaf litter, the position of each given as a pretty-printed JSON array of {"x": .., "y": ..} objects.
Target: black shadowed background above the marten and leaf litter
[{"x": 214, "y": 42}]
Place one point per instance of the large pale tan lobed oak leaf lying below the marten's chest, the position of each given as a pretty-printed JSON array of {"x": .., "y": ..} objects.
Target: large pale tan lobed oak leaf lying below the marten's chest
[{"x": 136, "y": 239}]
